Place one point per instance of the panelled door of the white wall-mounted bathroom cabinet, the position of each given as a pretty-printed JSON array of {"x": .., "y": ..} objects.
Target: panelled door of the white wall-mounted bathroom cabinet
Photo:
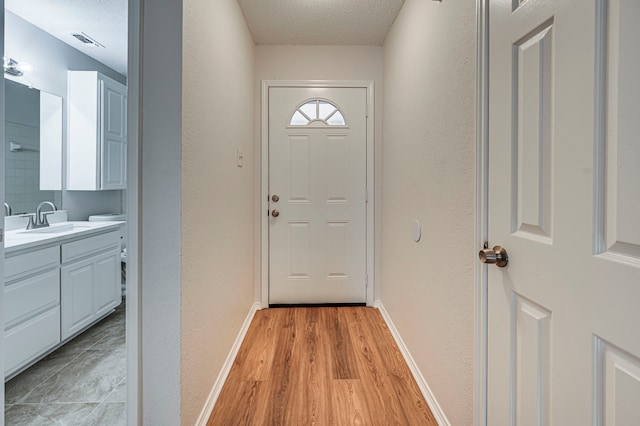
[{"x": 114, "y": 138}]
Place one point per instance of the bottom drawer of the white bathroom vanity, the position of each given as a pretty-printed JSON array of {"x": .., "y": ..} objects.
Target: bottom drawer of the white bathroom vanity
[{"x": 31, "y": 339}]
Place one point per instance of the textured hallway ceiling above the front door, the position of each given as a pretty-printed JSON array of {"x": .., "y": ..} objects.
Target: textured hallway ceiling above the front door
[{"x": 320, "y": 22}]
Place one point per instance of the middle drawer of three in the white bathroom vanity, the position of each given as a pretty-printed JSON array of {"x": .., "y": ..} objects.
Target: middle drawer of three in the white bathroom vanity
[{"x": 27, "y": 298}]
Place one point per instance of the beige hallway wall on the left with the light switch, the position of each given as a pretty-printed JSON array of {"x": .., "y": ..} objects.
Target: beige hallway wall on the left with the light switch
[{"x": 217, "y": 196}]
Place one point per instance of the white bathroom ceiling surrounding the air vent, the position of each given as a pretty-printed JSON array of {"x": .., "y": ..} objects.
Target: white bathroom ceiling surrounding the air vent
[{"x": 103, "y": 20}]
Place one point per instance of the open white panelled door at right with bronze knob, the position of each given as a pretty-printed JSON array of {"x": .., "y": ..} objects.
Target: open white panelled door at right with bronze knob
[{"x": 564, "y": 201}]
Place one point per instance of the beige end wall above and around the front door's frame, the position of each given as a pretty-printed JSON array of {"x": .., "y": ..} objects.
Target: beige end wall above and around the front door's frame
[{"x": 363, "y": 63}]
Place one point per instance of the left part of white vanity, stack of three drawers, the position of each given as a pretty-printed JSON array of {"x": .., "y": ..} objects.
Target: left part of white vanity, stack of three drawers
[{"x": 31, "y": 305}]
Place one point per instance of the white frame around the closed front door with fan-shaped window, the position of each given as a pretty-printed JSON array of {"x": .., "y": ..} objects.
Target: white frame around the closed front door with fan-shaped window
[{"x": 263, "y": 202}]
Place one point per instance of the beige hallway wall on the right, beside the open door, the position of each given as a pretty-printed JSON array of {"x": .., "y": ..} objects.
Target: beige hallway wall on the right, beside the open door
[{"x": 428, "y": 159}]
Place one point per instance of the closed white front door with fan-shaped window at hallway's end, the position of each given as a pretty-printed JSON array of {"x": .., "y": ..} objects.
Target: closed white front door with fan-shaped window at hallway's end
[{"x": 317, "y": 195}]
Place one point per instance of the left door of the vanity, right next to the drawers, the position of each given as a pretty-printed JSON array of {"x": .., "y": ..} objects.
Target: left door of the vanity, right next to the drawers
[{"x": 78, "y": 284}]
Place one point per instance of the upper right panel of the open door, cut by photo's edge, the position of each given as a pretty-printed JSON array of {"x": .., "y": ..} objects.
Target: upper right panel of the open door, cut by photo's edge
[{"x": 622, "y": 192}]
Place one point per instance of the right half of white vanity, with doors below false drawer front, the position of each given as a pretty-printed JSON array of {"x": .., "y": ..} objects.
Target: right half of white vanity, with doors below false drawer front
[{"x": 90, "y": 280}]
